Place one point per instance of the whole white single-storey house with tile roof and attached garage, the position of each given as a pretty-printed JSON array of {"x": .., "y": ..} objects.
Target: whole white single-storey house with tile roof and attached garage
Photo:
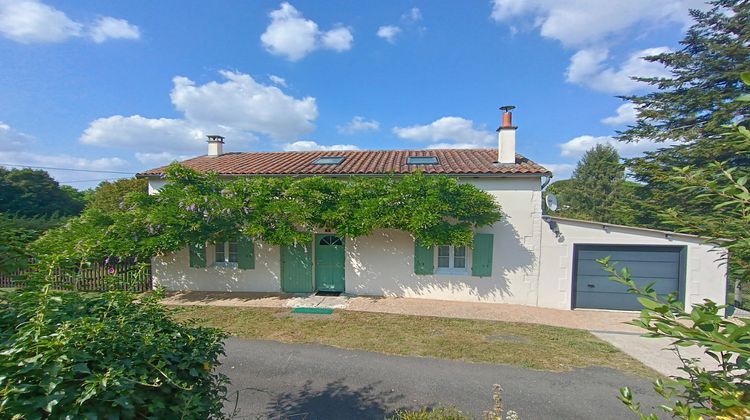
[{"x": 527, "y": 258}]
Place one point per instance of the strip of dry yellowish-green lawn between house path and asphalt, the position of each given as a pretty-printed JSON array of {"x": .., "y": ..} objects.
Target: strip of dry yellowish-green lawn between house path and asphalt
[{"x": 526, "y": 345}]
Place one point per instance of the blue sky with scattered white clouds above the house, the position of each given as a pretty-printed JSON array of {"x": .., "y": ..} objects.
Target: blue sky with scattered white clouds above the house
[{"x": 130, "y": 85}]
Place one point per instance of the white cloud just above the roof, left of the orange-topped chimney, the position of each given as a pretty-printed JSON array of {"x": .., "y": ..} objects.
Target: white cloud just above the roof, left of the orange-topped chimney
[{"x": 450, "y": 131}]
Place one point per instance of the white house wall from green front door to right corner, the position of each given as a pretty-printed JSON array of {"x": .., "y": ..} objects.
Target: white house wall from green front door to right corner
[{"x": 382, "y": 263}]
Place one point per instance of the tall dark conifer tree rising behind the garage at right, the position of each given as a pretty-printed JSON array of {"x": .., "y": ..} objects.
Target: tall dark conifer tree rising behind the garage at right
[{"x": 692, "y": 107}]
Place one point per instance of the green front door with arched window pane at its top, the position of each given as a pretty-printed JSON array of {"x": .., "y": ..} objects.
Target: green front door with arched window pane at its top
[{"x": 329, "y": 263}]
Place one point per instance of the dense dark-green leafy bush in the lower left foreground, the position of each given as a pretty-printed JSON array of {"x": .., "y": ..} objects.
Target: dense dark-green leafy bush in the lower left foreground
[{"x": 109, "y": 355}]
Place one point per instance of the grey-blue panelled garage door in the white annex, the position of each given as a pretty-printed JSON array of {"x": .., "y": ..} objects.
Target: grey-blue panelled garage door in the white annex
[{"x": 647, "y": 264}]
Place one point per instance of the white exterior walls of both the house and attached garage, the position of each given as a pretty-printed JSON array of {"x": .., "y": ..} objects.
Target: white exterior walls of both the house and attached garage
[{"x": 530, "y": 265}]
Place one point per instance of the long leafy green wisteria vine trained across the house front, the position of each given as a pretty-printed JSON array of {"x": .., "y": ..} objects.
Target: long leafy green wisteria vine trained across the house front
[{"x": 199, "y": 208}]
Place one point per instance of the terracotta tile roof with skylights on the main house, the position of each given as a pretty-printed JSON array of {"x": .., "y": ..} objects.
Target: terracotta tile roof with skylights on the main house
[{"x": 360, "y": 162}]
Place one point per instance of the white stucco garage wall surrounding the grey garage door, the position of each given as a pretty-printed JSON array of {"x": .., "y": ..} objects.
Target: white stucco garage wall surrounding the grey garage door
[{"x": 706, "y": 266}]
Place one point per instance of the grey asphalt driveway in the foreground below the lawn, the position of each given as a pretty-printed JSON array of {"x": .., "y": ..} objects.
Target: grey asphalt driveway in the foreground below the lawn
[{"x": 303, "y": 381}]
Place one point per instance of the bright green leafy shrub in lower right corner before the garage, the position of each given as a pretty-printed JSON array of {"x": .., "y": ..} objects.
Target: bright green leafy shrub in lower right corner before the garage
[{"x": 722, "y": 392}]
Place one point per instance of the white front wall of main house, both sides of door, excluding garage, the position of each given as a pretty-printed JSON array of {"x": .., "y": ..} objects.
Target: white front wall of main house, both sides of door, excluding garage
[{"x": 382, "y": 263}]
